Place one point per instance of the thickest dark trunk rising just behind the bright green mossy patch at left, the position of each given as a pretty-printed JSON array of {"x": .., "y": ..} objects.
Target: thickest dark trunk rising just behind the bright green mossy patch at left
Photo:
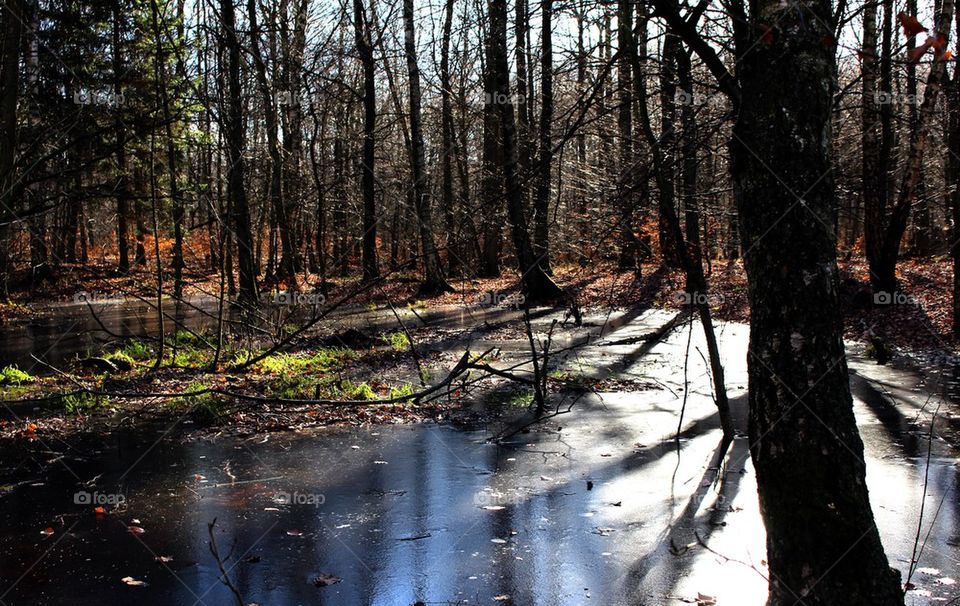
[{"x": 236, "y": 192}]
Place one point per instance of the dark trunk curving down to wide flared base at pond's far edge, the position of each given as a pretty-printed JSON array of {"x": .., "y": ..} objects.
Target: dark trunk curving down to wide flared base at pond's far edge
[{"x": 537, "y": 284}]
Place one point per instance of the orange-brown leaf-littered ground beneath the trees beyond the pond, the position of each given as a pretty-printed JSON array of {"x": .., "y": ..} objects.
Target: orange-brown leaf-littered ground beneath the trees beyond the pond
[{"x": 919, "y": 320}]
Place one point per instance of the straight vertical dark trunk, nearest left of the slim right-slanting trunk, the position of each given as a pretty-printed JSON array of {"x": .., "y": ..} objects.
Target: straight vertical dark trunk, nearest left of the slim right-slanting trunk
[{"x": 361, "y": 25}]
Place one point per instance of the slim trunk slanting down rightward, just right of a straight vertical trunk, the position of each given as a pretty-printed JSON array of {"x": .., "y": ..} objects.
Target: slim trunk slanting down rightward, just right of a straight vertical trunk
[{"x": 433, "y": 279}]
